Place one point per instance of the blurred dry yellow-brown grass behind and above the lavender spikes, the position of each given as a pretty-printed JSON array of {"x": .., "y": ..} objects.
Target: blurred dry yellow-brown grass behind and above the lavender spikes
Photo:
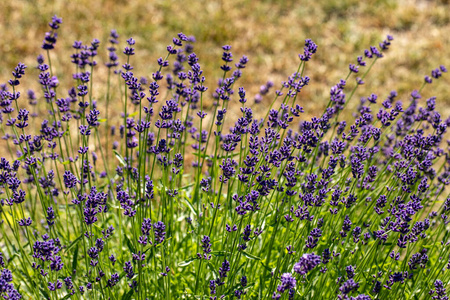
[{"x": 270, "y": 33}]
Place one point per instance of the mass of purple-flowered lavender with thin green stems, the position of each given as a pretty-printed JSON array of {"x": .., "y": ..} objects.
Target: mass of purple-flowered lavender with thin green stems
[{"x": 166, "y": 200}]
